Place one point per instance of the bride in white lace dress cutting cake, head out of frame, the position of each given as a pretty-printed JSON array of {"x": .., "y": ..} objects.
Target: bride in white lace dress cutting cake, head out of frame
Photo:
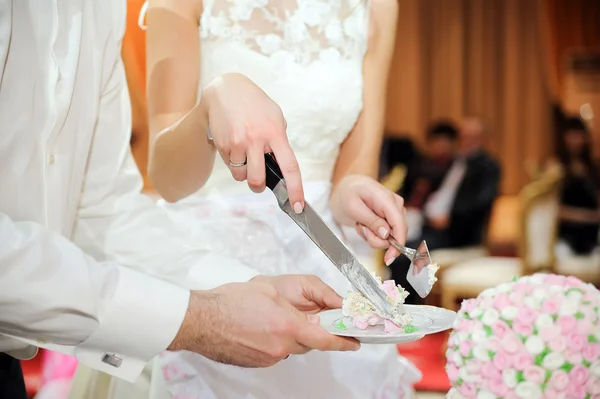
[{"x": 326, "y": 65}]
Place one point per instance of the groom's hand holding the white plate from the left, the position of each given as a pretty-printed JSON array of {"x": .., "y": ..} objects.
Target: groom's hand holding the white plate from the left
[{"x": 252, "y": 325}]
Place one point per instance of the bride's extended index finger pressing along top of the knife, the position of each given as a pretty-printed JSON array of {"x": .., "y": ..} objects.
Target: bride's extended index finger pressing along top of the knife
[{"x": 291, "y": 172}]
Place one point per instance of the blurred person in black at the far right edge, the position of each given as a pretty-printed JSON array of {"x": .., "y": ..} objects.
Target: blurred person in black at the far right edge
[{"x": 580, "y": 194}]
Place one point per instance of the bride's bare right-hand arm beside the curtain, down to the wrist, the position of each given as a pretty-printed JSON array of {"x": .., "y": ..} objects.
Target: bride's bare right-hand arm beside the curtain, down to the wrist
[{"x": 360, "y": 152}]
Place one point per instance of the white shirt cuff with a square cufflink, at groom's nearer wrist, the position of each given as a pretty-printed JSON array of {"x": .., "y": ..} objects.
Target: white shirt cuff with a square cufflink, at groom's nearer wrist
[{"x": 138, "y": 321}]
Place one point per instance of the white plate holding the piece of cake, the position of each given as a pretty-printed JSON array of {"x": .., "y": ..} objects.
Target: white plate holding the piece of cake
[{"x": 427, "y": 320}]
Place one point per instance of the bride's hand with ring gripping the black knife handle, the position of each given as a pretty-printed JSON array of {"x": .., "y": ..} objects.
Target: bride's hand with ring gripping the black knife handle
[{"x": 245, "y": 124}]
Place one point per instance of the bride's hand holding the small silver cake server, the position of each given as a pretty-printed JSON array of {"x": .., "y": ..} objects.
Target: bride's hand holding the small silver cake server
[{"x": 375, "y": 211}]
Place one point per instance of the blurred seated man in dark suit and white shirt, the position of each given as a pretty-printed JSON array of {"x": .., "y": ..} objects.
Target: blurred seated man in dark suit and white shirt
[{"x": 456, "y": 214}]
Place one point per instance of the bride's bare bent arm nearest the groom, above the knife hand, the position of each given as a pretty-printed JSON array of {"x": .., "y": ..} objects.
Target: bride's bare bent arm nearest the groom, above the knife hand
[{"x": 181, "y": 157}]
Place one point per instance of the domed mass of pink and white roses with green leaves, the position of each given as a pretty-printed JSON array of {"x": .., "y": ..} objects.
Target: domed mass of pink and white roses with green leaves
[{"x": 536, "y": 337}]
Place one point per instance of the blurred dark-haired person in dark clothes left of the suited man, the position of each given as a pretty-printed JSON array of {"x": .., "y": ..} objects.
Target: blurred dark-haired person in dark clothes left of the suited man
[{"x": 426, "y": 174}]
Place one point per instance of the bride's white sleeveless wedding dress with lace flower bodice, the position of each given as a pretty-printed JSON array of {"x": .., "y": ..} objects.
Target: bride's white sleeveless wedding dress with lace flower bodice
[{"x": 307, "y": 56}]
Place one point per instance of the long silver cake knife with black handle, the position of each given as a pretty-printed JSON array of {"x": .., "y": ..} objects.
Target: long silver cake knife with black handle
[{"x": 318, "y": 231}]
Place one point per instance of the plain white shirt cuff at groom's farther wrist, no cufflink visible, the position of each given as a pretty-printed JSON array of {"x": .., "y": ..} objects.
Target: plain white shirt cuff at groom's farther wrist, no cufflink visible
[{"x": 214, "y": 270}]
